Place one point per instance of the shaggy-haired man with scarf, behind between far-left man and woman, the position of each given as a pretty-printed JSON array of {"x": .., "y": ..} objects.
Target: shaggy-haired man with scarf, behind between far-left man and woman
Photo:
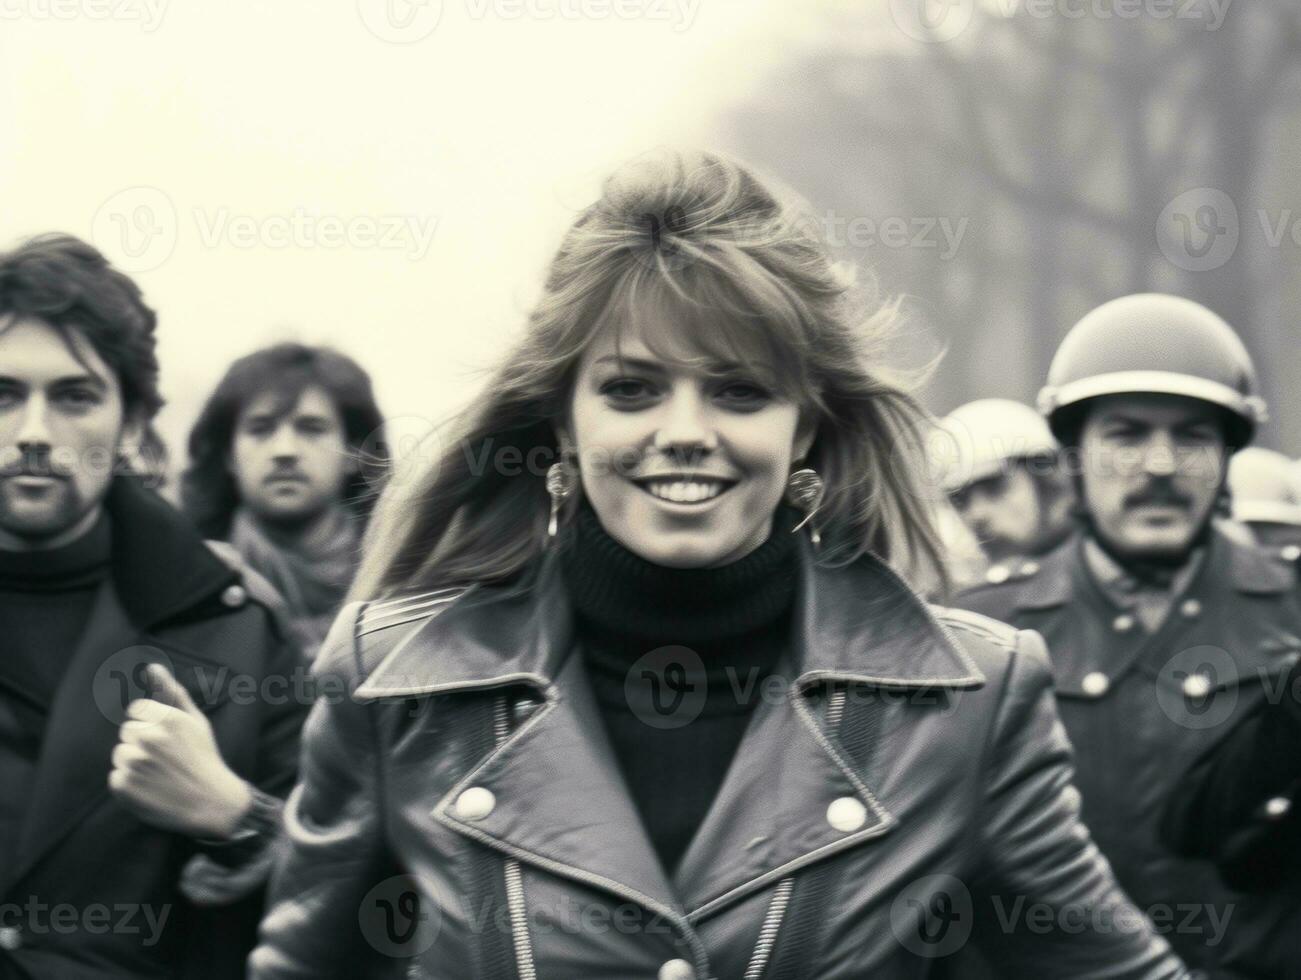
[{"x": 286, "y": 460}]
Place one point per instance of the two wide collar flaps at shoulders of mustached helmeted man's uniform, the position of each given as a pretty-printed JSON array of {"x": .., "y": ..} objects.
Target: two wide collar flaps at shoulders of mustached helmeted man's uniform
[{"x": 1246, "y": 569}]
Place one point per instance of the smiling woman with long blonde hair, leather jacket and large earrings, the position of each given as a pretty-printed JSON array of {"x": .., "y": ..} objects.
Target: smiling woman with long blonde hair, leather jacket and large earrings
[{"x": 634, "y": 690}]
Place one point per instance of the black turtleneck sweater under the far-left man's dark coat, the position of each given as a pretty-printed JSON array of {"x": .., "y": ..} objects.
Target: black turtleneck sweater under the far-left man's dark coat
[{"x": 45, "y": 602}]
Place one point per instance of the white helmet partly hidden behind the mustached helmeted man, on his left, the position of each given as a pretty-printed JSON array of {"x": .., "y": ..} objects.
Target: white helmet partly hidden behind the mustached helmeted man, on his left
[{"x": 982, "y": 438}]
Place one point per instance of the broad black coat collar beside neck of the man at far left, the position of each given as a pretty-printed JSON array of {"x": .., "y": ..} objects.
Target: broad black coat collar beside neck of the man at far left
[{"x": 161, "y": 565}]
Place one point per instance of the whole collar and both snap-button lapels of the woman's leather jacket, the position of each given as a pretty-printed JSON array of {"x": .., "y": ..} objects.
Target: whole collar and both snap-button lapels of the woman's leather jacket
[{"x": 853, "y": 624}]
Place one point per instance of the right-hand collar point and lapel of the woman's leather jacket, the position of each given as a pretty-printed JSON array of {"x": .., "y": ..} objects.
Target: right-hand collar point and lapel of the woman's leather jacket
[{"x": 861, "y": 625}]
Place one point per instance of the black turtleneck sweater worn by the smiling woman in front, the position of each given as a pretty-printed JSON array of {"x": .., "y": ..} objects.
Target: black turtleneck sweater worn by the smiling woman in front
[{"x": 676, "y": 716}]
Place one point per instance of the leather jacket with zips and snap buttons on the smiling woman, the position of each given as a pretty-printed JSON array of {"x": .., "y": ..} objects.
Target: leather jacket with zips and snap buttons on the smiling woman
[{"x": 463, "y": 815}]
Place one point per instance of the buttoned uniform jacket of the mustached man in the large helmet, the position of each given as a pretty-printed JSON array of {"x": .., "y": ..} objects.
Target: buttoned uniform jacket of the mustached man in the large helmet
[{"x": 1140, "y": 709}]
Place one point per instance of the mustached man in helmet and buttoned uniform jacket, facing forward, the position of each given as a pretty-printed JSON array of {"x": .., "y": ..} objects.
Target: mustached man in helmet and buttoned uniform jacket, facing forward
[{"x": 1164, "y": 632}]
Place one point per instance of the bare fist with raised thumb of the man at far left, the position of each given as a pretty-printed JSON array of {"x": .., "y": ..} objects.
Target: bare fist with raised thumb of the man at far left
[{"x": 168, "y": 770}]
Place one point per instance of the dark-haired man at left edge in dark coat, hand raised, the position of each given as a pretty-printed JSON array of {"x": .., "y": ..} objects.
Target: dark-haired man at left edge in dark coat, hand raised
[{"x": 148, "y": 719}]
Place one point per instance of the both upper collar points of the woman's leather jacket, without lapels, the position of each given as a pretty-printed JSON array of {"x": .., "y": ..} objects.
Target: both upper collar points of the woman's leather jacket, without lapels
[{"x": 859, "y": 623}]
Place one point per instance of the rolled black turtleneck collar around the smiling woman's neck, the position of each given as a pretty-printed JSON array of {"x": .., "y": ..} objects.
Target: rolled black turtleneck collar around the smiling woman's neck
[{"x": 620, "y": 594}]
